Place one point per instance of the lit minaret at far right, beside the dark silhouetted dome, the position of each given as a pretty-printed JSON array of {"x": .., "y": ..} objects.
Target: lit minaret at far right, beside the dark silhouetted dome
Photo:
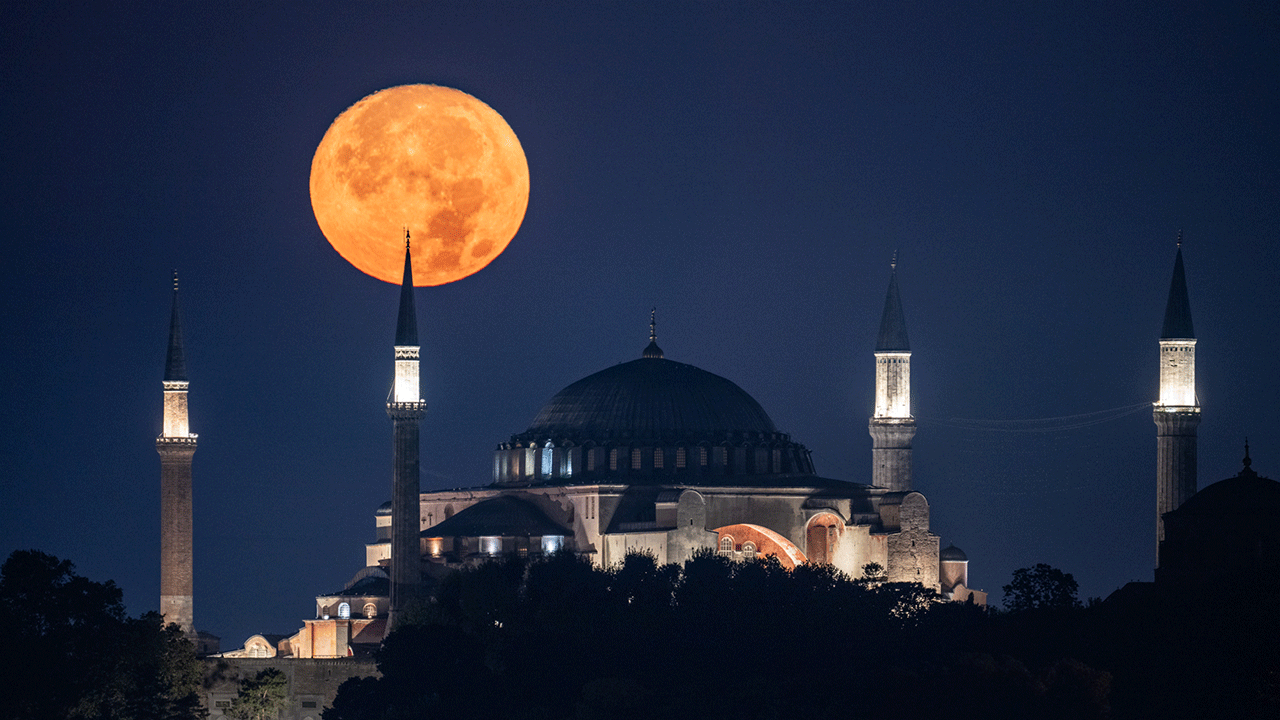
[{"x": 1177, "y": 414}]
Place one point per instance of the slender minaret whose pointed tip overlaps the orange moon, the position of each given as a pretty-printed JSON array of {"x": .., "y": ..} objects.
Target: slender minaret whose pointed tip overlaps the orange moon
[{"x": 406, "y": 409}]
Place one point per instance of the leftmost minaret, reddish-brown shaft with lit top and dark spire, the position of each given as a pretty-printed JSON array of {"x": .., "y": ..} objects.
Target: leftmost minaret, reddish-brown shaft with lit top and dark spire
[{"x": 176, "y": 446}]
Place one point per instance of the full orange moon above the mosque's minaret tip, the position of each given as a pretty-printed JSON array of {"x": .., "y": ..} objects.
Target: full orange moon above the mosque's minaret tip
[{"x": 427, "y": 158}]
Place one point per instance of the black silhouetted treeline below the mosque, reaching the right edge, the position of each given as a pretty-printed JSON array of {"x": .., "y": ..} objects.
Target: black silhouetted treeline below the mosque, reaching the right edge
[{"x": 716, "y": 640}]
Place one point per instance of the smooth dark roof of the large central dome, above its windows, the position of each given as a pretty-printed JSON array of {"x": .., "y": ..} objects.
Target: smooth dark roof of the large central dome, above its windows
[{"x": 652, "y": 399}]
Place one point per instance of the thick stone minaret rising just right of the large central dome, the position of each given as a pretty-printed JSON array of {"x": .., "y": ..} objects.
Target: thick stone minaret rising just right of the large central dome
[{"x": 893, "y": 426}]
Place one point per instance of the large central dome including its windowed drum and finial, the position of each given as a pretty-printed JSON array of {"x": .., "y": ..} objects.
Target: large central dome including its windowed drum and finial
[{"x": 650, "y": 418}]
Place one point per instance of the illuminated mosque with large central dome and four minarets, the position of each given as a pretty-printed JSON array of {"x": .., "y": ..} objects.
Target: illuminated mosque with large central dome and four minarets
[{"x": 664, "y": 458}]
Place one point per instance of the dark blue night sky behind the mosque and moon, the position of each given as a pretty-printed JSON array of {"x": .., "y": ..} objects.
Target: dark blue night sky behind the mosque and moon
[{"x": 747, "y": 168}]
